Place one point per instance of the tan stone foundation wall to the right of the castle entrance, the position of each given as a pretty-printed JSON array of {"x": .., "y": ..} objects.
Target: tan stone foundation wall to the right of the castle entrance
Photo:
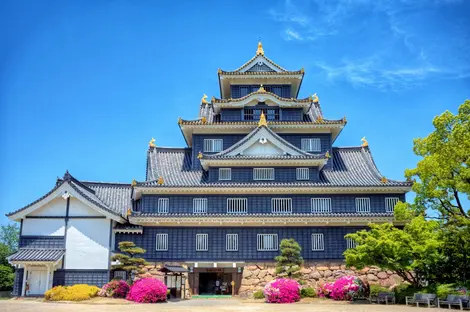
[{"x": 256, "y": 275}]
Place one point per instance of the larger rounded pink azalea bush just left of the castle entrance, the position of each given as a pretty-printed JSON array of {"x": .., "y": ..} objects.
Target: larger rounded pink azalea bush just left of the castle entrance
[{"x": 147, "y": 290}]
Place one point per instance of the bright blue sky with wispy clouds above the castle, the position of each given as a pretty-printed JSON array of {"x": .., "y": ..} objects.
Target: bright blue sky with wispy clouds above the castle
[{"x": 84, "y": 85}]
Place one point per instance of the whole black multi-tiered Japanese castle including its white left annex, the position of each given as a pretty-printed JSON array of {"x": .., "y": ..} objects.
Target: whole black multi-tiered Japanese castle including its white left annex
[{"x": 259, "y": 166}]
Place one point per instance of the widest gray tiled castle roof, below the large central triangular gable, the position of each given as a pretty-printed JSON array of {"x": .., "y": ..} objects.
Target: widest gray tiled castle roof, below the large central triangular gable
[{"x": 352, "y": 167}]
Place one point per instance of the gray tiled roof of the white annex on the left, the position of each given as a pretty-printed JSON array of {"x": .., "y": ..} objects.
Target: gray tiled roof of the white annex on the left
[{"x": 111, "y": 197}]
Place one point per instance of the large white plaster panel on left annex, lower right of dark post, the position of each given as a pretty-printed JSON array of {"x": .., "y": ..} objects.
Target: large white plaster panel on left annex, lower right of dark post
[{"x": 87, "y": 244}]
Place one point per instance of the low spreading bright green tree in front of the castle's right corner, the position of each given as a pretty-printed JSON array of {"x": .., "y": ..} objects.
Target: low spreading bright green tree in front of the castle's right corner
[{"x": 412, "y": 252}]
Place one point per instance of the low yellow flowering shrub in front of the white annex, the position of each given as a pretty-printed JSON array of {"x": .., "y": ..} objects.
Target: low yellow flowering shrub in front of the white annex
[{"x": 77, "y": 292}]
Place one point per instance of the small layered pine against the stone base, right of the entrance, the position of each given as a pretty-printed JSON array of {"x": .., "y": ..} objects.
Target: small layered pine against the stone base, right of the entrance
[{"x": 289, "y": 261}]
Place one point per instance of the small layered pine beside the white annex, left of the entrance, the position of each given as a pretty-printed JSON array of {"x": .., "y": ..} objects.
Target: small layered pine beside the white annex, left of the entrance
[{"x": 127, "y": 260}]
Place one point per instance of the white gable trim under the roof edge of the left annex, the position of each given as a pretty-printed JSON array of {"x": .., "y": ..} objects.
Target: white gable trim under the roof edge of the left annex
[{"x": 67, "y": 188}]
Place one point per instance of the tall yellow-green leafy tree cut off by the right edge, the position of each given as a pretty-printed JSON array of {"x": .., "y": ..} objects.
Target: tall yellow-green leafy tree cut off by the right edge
[{"x": 442, "y": 176}]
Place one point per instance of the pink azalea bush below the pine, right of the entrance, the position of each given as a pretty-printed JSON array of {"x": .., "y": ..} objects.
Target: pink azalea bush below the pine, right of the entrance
[{"x": 282, "y": 290}]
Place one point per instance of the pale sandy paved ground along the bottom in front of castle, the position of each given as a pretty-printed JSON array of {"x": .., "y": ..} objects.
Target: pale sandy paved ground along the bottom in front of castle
[{"x": 217, "y": 305}]
